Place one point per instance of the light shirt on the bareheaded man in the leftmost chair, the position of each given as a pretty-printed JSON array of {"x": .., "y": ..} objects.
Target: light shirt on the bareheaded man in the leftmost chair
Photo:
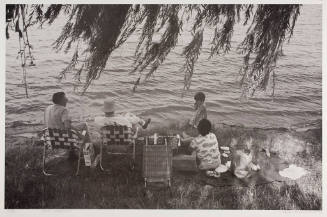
[{"x": 55, "y": 116}]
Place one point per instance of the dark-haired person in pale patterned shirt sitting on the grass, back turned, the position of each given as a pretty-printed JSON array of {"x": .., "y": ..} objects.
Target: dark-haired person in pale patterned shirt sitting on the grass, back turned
[{"x": 206, "y": 148}]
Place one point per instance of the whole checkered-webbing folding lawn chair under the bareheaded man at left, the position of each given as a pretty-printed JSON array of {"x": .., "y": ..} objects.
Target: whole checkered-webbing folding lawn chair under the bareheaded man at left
[{"x": 55, "y": 139}]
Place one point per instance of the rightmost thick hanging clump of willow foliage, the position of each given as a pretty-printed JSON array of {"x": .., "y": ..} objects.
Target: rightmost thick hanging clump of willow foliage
[{"x": 267, "y": 33}]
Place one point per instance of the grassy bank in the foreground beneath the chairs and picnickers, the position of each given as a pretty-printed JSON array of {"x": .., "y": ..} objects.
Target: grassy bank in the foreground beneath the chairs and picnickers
[{"x": 26, "y": 187}]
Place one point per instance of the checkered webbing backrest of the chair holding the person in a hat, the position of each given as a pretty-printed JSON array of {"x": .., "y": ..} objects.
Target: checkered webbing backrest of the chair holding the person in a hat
[{"x": 116, "y": 135}]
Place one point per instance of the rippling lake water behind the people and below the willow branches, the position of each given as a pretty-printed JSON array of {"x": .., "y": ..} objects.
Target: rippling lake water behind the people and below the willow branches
[{"x": 297, "y": 101}]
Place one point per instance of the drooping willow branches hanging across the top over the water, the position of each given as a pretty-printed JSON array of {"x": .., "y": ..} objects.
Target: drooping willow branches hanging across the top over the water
[{"x": 104, "y": 28}]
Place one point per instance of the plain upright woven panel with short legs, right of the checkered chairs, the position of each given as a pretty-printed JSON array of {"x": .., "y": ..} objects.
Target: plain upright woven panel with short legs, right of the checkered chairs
[{"x": 157, "y": 163}]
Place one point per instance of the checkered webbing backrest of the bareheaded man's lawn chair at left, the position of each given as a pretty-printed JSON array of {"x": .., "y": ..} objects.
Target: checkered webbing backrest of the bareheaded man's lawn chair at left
[{"x": 63, "y": 139}]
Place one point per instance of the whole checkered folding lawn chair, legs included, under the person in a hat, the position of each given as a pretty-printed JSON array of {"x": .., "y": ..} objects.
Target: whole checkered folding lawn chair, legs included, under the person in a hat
[{"x": 118, "y": 140}]
